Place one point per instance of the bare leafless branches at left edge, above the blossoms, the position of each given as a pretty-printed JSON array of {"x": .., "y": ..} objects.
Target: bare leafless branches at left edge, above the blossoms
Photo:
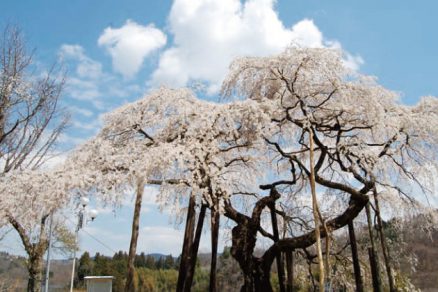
[{"x": 31, "y": 118}]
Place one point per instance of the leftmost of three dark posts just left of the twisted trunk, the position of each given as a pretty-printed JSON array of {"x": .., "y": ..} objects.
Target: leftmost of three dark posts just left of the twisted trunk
[{"x": 187, "y": 244}]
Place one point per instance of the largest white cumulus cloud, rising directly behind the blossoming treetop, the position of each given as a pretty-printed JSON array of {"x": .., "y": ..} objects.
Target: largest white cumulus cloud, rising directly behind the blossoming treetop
[{"x": 209, "y": 34}]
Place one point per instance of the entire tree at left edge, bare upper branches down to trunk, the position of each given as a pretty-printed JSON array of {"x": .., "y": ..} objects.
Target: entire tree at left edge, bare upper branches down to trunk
[{"x": 31, "y": 120}]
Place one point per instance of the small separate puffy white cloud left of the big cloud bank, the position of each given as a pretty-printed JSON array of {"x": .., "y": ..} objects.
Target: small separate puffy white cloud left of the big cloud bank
[{"x": 130, "y": 44}]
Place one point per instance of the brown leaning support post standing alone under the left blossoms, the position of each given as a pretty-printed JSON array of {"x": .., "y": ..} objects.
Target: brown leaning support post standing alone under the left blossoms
[{"x": 129, "y": 285}]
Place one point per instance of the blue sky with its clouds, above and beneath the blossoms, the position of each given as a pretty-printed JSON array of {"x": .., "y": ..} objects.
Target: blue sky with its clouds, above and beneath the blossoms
[{"x": 115, "y": 51}]
